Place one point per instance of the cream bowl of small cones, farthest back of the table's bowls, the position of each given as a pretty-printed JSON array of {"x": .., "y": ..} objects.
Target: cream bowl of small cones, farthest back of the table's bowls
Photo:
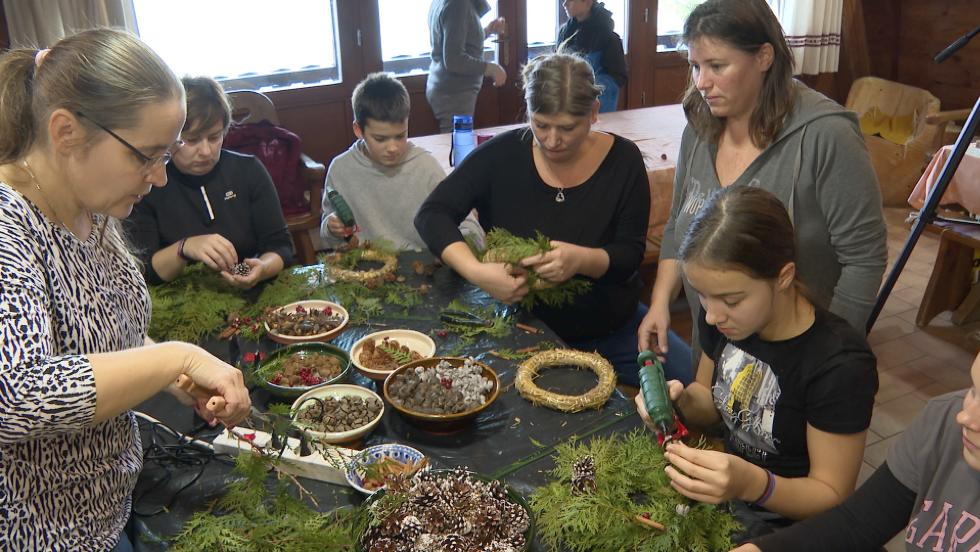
[{"x": 303, "y": 321}]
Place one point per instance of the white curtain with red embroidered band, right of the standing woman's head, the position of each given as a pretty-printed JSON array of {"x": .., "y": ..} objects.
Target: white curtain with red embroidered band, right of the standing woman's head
[{"x": 813, "y": 29}]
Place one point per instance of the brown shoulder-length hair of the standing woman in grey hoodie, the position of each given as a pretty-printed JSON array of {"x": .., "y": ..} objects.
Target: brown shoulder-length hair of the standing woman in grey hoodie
[{"x": 745, "y": 25}]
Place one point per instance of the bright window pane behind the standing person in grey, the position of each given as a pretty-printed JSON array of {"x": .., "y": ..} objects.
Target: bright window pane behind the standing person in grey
[{"x": 405, "y": 44}]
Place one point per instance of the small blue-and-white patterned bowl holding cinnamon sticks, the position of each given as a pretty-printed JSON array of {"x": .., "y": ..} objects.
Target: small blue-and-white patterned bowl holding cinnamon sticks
[{"x": 374, "y": 466}]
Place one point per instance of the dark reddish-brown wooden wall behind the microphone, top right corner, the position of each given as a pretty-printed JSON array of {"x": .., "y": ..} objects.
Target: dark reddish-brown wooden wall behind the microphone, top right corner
[{"x": 928, "y": 27}]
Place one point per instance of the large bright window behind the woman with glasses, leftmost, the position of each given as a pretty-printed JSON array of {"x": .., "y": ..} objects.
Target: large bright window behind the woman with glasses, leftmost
[{"x": 251, "y": 44}]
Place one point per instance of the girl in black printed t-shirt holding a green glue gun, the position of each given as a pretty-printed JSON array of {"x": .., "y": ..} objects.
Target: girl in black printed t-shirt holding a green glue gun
[{"x": 794, "y": 385}]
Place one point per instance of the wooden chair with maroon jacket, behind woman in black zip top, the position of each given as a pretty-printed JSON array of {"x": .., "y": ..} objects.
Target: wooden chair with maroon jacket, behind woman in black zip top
[{"x": 253, "y": 107}]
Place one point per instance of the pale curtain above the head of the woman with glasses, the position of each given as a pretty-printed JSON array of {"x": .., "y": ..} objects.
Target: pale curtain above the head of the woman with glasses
[{"x": 41, "y": 23}]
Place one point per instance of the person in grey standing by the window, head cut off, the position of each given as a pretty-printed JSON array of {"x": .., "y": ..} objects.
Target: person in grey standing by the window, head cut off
[{"x": 457, "y": 68}]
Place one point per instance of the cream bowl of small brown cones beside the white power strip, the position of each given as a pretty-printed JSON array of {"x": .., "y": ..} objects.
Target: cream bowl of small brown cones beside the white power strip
[{"x": 338, "y": 413}]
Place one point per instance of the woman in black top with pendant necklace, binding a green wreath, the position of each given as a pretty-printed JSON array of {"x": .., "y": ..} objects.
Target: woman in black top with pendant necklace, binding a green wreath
[{"x": 584, "y": 189}]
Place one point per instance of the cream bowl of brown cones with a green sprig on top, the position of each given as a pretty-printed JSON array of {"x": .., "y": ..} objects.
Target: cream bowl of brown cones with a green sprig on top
[{"x": 377, "y": 355}]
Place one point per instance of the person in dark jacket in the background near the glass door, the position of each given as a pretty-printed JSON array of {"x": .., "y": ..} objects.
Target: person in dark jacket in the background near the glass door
[{"x": 589, "y": 31}]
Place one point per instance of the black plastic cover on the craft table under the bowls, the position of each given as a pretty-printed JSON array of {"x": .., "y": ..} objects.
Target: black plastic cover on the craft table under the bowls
[{"x": 511, "y": 440}]
